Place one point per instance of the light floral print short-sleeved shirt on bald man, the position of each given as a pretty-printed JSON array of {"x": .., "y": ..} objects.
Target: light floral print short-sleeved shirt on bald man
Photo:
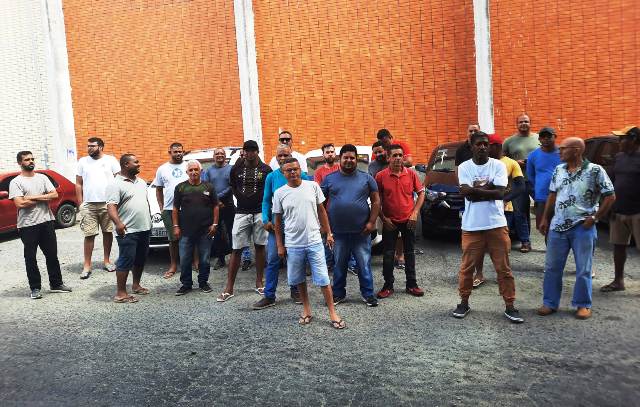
[{"x": 577, "y": 194}]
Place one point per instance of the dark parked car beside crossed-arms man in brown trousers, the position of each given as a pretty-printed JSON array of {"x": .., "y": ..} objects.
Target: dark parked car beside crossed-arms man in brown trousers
[{"x": 443, "y": 204}]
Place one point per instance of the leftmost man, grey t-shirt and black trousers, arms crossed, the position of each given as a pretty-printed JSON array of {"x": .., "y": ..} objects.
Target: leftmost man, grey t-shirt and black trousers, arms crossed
[{"x": 31, "y": 193}]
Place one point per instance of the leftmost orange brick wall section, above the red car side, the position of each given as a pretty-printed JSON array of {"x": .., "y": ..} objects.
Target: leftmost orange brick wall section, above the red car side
[{"x": 145, "y": 73}]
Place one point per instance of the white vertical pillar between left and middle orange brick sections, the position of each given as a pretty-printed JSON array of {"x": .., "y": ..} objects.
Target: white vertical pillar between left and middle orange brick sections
[{"x": 248, "y": 72}]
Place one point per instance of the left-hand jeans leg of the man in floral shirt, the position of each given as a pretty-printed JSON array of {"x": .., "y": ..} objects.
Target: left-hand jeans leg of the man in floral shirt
[{"x": 557, "y": 251}]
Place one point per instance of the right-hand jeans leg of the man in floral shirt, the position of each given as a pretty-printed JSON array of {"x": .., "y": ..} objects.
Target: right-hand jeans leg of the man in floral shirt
[{"x": 582, "y": 244}]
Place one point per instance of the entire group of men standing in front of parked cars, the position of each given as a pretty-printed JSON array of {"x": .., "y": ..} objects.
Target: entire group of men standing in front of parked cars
[{"x": 326, "y": 223}]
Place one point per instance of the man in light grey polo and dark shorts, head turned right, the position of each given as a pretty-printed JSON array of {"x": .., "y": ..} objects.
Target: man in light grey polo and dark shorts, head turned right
[{"x": 128, "y": 208}]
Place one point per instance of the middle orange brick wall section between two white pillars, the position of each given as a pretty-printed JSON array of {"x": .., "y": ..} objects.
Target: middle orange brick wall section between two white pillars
[{"x": 338, "y": 70}]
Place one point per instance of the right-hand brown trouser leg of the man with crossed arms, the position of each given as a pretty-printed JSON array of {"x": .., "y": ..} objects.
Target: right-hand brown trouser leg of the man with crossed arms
[{"x": 499, "y": 246}]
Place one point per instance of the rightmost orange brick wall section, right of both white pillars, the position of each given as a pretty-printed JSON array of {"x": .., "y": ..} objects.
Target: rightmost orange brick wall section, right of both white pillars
[{"x": 572, "y": 65}]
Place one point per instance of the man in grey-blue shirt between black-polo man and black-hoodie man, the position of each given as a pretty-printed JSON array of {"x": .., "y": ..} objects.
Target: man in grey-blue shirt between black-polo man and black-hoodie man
[{"x": 219, "y": 175}]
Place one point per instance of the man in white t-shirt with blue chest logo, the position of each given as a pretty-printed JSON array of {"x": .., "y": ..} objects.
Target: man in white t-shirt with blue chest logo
[{"x": 168, "y": 176}]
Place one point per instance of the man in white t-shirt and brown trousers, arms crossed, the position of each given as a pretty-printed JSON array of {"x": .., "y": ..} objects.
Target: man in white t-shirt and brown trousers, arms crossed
[{"x": 484, "y": 227}]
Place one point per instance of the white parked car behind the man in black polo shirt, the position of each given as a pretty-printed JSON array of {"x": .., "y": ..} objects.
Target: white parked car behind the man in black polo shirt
[{"x": 158, "y": 231}]
